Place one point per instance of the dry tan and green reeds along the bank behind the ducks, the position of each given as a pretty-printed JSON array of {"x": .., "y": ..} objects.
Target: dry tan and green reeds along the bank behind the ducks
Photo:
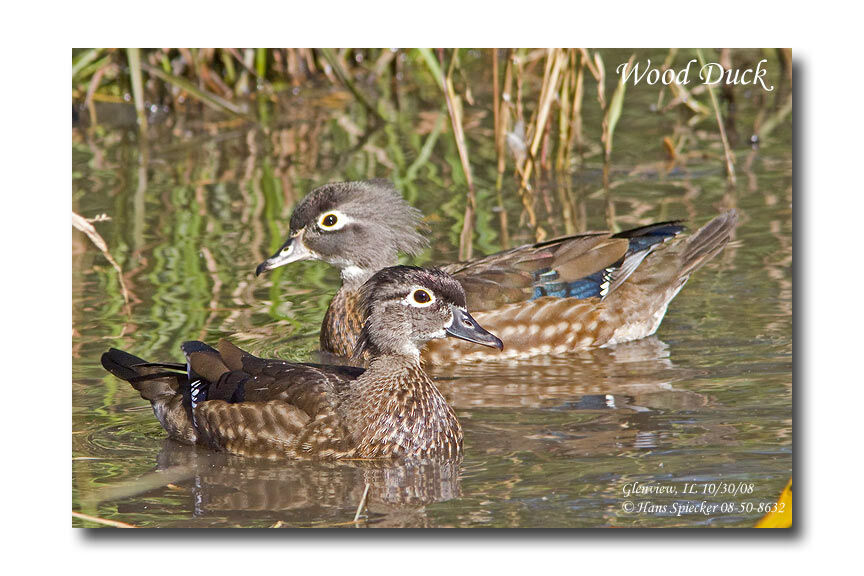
[{"x": 539, "y": 110}]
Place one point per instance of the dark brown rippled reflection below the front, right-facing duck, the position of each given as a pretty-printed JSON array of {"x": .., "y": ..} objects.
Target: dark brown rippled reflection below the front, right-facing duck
[{"x": 218, "y": 485}]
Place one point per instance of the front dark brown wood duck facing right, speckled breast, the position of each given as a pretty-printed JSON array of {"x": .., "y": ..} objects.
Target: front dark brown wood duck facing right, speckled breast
[{"x": 230, "y": 400}]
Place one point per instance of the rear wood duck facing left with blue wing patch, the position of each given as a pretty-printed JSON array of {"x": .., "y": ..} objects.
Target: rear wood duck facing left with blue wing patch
[{"x": 567, "y": 294}]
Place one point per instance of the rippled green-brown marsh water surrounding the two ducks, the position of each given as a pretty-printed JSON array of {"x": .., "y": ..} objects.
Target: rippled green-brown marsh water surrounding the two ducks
[{"x": 560, "y": 441}]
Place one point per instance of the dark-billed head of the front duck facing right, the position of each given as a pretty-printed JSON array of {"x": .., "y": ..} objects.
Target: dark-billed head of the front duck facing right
[{"x": 404, "y": 307}]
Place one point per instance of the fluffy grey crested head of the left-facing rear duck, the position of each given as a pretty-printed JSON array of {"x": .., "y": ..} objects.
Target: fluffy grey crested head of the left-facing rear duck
[{"x": 360, "y": 227}]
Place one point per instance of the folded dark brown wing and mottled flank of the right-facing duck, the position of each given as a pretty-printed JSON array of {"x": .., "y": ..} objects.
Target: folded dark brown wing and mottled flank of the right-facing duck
[{"x": 267, "y": 408}]
